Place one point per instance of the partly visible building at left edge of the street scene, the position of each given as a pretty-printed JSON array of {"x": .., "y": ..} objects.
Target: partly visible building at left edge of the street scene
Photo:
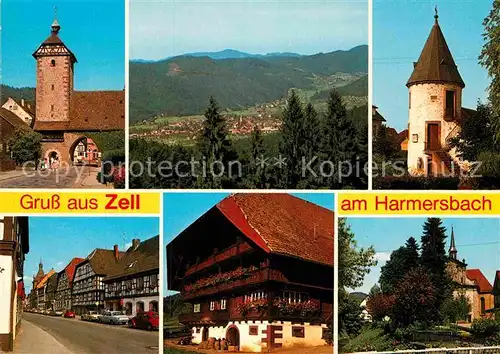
[{"x": 14, "y": 245}]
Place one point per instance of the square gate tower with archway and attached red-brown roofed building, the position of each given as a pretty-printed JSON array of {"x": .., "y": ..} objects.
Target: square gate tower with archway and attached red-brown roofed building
[{"x": 64, "y": 116}]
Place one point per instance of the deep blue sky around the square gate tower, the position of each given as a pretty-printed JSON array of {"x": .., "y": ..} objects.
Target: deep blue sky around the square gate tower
[{"x": 94, "y": 30}]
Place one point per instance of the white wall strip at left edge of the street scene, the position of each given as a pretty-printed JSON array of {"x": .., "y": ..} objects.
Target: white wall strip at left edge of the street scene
[{"x": 5, "y": 293}]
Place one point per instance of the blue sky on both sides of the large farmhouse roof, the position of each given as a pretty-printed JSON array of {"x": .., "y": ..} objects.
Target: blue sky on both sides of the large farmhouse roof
[{"x": 181, "y": 209}]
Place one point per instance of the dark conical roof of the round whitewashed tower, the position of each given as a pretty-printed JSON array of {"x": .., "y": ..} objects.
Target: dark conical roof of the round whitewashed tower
[{"x": 435, "y": 63}]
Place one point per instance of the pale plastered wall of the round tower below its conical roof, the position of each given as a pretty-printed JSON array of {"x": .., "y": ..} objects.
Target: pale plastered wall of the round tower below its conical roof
[{"x": 423, "y": 109}]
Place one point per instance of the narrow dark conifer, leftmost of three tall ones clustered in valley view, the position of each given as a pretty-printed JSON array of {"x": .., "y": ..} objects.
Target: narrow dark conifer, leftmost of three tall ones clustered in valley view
[{"x": 292, "y": 138}]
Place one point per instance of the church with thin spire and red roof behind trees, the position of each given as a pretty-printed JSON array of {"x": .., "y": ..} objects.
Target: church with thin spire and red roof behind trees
[{"x": 471, "y": 283}]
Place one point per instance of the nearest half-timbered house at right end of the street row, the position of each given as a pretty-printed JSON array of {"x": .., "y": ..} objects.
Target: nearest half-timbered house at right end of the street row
[{"x": 132, "y": 285}]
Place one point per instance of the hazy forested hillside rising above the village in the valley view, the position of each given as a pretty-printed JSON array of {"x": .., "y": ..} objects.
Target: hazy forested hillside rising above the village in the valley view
[{"x": 183, "y": 85}]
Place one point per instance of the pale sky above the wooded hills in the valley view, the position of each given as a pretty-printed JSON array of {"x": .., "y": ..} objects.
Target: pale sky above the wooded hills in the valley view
[{"x": 168, "y": 28}]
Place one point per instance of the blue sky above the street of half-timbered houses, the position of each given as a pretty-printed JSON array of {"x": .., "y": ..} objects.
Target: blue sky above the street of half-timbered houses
[{"x": 57, "y": 240}]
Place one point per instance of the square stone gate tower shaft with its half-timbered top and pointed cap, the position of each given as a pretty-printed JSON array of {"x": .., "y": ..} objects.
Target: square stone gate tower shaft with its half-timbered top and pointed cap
[{"x": 54, "y": 78}]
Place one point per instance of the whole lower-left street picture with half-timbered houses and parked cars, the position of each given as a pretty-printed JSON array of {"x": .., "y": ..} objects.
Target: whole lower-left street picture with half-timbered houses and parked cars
[{"x": 109, "y": 294}]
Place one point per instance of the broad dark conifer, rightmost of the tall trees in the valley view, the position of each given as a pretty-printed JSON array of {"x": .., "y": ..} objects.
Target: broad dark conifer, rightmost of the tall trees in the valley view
[{"x": 339, "y": 143}]
